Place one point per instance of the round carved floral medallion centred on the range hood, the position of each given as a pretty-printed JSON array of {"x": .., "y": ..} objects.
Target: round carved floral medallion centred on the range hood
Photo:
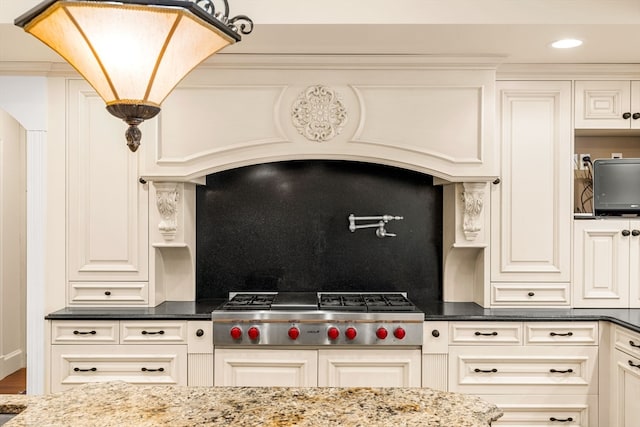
[{"x": 318, "y": 113}]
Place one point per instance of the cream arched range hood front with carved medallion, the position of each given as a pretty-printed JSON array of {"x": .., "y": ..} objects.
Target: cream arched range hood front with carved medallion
[{"x": 400, "y": 111}]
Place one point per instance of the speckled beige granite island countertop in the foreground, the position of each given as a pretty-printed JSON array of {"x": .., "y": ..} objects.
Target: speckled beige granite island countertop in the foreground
[{"x": 120, "y": 404}]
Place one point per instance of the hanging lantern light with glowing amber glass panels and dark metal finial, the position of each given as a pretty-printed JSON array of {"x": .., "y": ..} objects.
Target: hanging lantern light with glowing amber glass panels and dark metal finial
[{"x": 134, "y": 52}]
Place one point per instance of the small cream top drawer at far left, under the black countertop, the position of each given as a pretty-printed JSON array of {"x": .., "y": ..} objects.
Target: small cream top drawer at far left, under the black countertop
[{"x": 93, "y": 332}]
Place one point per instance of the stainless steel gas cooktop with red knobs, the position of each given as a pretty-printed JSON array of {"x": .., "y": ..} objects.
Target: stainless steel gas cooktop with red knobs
[{"x": 317, "y": 319}]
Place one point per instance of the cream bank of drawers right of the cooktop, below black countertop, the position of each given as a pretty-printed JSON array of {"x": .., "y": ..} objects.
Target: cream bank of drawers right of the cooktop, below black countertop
[{"x": 538, "y": 373}]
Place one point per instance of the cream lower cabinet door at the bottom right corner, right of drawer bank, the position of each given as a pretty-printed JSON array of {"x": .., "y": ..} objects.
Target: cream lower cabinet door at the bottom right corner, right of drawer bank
[{"x": 625, "y": 389}]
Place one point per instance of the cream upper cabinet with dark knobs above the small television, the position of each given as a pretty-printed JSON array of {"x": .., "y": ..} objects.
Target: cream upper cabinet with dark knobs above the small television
[{"x": 607, "y": 104}]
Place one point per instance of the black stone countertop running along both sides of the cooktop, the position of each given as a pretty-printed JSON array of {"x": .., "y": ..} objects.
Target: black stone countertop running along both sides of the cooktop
[{"x": 447, "y": 311}]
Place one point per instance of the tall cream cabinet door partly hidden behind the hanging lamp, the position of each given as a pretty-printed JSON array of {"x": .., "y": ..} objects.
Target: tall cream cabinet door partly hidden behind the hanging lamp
[{"x": 107, "y": 206}]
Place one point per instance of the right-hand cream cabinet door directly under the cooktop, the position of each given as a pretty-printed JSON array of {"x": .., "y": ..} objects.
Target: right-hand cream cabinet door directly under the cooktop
[{"x": 369, "y": 368}]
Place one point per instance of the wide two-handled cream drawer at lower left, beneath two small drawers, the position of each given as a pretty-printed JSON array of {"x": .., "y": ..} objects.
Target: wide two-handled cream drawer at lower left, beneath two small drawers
[{"x": 72, "y": 365}]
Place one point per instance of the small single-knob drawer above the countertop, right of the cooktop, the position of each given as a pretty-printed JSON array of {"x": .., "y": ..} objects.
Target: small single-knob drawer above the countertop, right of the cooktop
[{"x": 528, "y": 294}]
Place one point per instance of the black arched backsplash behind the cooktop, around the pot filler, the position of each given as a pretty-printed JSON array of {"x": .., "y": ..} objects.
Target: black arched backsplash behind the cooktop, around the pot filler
[{"x": 284, "y": 227}]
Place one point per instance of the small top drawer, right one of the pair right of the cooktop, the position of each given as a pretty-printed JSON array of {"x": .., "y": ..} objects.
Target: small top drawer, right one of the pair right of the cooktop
[{"x": 561, "y": 333}]
